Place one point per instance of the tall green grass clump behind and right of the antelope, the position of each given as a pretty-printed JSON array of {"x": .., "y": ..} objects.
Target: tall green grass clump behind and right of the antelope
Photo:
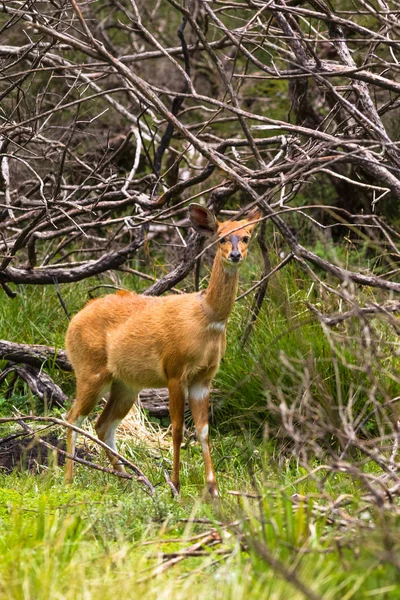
[{"x": 290, "y": 355}]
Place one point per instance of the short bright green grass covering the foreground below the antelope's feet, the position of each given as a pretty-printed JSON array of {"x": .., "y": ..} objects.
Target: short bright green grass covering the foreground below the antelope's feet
[{"x": 86, "y": 541}]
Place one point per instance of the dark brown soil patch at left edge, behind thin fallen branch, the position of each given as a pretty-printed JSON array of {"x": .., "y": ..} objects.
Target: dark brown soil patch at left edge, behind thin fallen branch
[{"x": 23, "y": 452}]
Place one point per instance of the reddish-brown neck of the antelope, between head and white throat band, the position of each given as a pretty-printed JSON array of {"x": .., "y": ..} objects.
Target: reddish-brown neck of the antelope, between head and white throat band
[{"x": 220, "y": 295}]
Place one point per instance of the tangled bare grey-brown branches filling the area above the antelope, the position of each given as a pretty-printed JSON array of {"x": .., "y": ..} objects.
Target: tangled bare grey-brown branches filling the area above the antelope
[{"x": 111, "y": 122}]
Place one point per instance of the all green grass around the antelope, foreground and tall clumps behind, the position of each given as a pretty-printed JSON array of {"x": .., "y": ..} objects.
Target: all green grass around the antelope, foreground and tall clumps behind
[{"x": 87, "y": 540}]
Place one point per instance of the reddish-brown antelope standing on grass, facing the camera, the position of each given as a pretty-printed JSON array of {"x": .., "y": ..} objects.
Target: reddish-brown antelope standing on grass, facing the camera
[{"x": 127, "y": 342}]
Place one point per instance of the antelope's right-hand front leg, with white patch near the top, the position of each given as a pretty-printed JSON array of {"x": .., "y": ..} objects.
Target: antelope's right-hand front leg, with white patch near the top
[{"x": 199, "y": 394}]
